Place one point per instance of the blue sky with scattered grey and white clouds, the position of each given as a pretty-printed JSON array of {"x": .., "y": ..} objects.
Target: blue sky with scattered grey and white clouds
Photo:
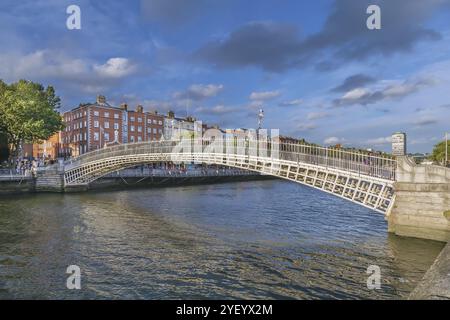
[{"x": 313, "y": 66}]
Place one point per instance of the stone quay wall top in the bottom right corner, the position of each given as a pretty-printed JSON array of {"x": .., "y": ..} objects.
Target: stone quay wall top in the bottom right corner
[{"x": 435, "y": 285}]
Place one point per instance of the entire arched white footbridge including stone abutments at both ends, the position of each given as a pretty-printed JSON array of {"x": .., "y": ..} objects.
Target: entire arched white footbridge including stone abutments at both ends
[{"x": 415, "y": 199}]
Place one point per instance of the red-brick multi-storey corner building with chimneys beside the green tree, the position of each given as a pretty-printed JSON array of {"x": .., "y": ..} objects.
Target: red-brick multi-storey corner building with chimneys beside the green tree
[{"x": 92, "y": 126}]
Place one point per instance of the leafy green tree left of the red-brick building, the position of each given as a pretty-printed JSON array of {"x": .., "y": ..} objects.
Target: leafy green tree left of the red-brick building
[{"x": 28, "y": 113}]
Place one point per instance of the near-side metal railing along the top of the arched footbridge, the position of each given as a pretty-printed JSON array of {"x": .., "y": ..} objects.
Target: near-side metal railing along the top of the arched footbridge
[{"x": 381, "y": 166}]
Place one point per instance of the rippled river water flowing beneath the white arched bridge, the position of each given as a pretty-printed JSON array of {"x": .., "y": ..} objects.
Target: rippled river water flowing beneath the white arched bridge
[{"x": 249, "y": 240}]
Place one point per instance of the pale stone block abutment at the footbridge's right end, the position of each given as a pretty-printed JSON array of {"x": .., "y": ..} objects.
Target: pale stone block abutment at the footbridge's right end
[{"x": 421, "y": 207}]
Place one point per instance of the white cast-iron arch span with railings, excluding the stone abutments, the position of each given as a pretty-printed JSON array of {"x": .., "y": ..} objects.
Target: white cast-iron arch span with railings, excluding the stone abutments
[{"x": 358, "y": 177}]
